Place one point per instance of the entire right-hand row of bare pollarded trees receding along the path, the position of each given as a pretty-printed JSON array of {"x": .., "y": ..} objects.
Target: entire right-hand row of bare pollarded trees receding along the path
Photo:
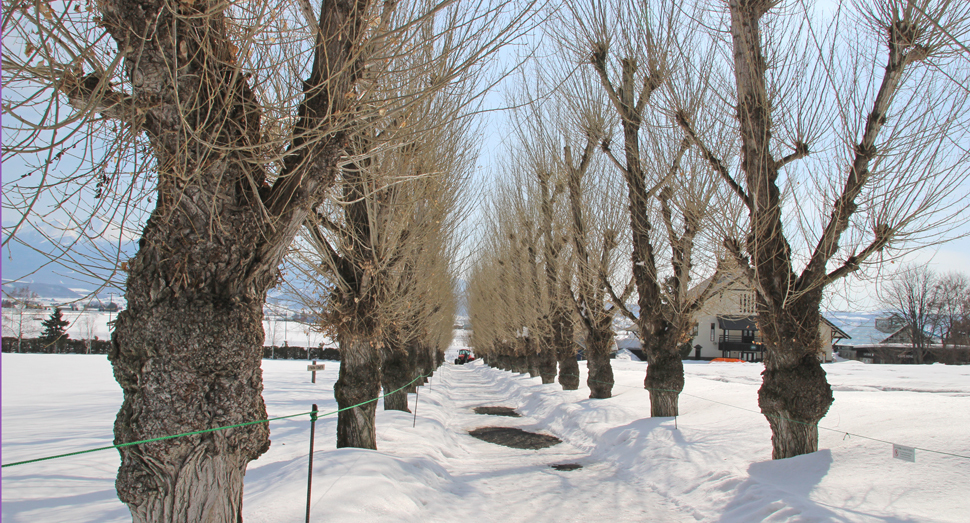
[{"x": 798, "y": 146}]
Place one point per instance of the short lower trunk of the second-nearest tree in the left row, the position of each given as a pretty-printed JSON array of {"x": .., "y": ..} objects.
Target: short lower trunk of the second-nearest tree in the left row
[{"x": 359, "y": 381}]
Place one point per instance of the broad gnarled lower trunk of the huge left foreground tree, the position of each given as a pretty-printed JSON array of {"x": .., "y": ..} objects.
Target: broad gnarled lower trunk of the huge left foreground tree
[{"x": 188, "y": 365}]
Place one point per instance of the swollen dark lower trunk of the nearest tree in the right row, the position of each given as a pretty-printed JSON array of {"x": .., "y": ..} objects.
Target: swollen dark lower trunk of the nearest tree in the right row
[{"x": 794, "y": 396}]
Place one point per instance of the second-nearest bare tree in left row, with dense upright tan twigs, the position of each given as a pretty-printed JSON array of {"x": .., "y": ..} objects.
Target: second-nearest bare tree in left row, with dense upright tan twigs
[{"x": 378, "y": 249}]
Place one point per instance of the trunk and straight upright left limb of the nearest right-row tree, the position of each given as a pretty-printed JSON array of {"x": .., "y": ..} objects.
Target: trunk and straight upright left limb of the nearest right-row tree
[{"x": 795, "y": 394}]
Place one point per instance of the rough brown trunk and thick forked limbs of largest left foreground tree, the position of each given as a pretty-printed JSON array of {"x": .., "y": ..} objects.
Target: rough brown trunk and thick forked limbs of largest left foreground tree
[{"x": 187, "y": 350}]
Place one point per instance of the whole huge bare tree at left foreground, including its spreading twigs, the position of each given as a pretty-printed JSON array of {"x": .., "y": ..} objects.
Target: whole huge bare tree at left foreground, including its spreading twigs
[{"x": 228, "y": 120}]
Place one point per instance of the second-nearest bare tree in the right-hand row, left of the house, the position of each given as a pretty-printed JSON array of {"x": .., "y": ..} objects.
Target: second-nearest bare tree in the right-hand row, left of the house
[{"x": 629, "y": 45}]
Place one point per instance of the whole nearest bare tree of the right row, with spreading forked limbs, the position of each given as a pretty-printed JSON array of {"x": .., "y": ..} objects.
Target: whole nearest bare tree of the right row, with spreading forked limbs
[{"x": 850, "y": 127}]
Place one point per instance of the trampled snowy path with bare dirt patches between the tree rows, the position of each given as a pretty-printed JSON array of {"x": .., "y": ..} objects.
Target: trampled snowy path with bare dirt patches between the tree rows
[{"x": 520, "y": 485}]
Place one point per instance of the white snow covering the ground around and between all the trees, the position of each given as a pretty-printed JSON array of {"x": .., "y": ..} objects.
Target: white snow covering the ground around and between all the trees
[{"x": 714, "y": 465}]
